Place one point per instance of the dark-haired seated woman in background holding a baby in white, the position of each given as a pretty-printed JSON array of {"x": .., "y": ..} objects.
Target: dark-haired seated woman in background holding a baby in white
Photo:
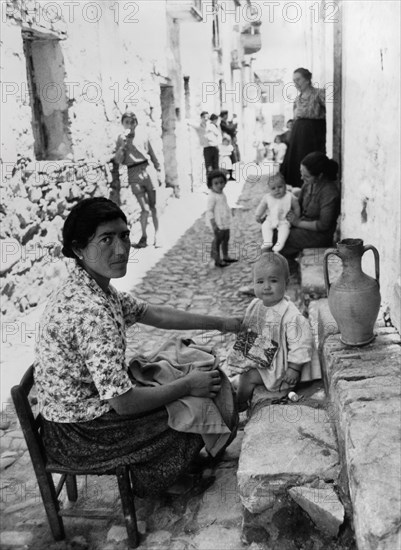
[{"x": 319, "y": 200}]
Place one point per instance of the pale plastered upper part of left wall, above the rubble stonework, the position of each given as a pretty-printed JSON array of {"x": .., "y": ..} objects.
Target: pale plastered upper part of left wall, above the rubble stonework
[{"x": 102, "y": 77}]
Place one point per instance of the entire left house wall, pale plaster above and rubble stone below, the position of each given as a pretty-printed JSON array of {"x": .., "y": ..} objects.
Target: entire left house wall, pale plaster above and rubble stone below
[{"x": 84, "y": 82}]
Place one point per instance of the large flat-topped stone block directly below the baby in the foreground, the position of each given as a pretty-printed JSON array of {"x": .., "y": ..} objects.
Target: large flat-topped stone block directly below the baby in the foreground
[{"x": 284, "y": 445}]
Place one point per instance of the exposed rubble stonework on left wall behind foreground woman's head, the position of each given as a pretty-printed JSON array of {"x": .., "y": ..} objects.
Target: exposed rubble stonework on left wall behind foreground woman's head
[{"x": 30, "y": 236}]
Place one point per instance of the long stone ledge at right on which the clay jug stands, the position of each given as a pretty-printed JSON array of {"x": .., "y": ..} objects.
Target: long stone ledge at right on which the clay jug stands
[{"x": 363, "y": 385}]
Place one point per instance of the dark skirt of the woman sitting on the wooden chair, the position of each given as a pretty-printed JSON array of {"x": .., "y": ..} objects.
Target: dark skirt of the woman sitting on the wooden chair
[{"x": 158, "y": 454}]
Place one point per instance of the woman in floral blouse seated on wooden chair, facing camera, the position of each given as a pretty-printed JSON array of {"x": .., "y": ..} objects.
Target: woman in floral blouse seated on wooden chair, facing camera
[{"x": 95, "y": 416}]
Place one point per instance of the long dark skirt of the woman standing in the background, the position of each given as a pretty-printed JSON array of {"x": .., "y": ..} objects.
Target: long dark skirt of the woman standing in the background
[{"x": 307, "y": 135}]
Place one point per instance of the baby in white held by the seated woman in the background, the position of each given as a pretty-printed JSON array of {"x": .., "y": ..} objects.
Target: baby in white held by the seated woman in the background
[{"x": 272, "y": 213}]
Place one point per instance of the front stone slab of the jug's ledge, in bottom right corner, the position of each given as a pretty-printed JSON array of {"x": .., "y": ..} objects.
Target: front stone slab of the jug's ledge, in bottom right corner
[{"x": 372, "y": 442}]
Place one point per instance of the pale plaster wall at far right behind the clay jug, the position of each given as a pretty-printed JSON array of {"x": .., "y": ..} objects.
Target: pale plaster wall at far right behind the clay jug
[{"x": 371, "y": 139}]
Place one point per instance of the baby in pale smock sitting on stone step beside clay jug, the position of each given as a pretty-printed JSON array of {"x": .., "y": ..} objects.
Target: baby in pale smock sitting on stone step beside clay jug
[{"x": 275, "y": 341}]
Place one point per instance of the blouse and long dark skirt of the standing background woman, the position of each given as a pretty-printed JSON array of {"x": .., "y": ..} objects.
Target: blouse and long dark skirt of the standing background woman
[{"x": 307, "y": 135}]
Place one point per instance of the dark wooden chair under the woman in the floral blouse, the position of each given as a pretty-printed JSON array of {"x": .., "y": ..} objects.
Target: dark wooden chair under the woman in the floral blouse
[{"x": 32, "y": 432}]
